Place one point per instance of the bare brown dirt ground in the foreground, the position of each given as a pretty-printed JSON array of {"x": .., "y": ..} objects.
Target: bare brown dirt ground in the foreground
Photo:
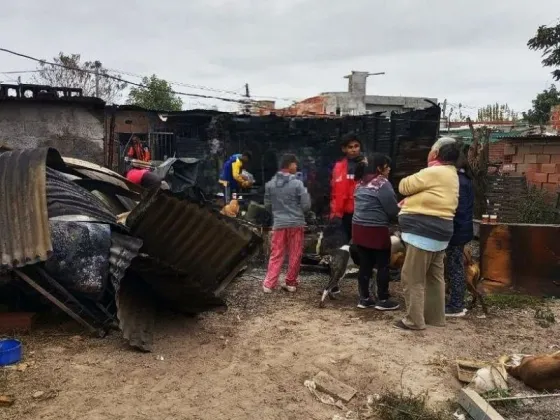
[{"x": 251, "y": 361}]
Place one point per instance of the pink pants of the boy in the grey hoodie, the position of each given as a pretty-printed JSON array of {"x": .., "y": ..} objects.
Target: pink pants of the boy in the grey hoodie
[{"x": 285, "y": 239}]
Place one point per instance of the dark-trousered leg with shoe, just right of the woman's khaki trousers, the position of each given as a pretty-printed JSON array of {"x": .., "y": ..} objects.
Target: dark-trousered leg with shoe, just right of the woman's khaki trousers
[{"x": 455, "y": 271}]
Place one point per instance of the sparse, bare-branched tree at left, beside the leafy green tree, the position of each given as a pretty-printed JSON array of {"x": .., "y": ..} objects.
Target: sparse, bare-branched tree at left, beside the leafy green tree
[{"x": 75, "y": 74}]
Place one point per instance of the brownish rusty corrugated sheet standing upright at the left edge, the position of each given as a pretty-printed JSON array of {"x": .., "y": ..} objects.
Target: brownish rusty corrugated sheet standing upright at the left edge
[{"x": 24, "y": 225}]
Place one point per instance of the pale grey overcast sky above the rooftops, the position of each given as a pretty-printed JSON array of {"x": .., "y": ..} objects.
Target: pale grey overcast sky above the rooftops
[{"x": 472, "y": 52}]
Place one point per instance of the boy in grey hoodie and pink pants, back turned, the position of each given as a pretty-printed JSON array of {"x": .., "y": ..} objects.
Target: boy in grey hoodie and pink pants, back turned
[{"x": 287, "y": 198}]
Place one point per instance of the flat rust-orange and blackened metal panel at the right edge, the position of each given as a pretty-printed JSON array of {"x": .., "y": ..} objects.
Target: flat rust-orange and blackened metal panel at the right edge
[{"x": 519, "y": 257}]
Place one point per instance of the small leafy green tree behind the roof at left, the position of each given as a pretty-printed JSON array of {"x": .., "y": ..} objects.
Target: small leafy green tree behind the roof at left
[{"x": 156, "y": 94}]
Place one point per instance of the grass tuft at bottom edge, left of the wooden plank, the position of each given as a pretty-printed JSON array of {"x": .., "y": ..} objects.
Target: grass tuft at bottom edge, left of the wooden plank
[{"x": 400, "y": 406}]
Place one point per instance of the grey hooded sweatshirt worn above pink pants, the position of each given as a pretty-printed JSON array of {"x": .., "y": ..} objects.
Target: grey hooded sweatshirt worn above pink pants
[{"x": 288, "y": 200}]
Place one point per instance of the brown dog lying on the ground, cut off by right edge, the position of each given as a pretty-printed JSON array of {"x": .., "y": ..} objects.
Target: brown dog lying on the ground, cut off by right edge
[{"x": 541, "y": 373}]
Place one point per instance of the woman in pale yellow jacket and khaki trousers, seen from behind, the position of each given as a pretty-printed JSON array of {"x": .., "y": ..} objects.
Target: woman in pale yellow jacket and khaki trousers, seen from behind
[{"x": 426, "y": 222}]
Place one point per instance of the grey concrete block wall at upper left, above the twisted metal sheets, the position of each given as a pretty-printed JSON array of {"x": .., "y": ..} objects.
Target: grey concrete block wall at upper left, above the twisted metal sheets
[{"x": 75, "y": 130}]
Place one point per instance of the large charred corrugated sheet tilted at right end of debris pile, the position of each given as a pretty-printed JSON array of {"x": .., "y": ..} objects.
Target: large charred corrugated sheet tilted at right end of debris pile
[{"x": 198, "y": 248}]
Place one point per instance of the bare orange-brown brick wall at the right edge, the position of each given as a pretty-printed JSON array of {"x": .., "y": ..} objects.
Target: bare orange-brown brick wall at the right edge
[{"x": 539, "y": 162}]
